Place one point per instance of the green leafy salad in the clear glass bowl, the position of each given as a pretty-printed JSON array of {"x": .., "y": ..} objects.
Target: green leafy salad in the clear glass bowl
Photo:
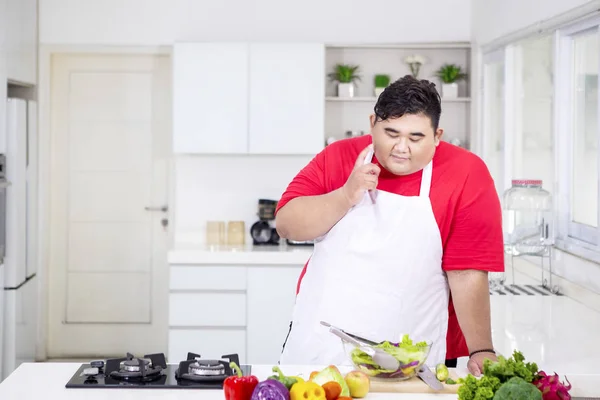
[{"x": 410, "y": 355}]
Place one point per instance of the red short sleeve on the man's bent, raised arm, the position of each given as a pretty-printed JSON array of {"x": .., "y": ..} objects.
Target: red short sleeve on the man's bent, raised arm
[{"x": 310, "y": 181}]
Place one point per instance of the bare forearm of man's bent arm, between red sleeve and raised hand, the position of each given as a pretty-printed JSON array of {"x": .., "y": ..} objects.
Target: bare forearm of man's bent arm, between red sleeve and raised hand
[{"x": 308, "y": 217}]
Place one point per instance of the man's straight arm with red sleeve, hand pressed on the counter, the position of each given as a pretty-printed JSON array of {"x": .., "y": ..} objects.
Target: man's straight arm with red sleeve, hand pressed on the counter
[{"x": 473, "y": 248}]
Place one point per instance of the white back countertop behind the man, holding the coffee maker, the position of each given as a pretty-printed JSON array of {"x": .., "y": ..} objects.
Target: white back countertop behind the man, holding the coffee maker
[{"x": 189, "y": 253}]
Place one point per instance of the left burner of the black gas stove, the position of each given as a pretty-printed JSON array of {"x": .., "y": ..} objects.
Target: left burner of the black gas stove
[{"x": 143, "y": 369}]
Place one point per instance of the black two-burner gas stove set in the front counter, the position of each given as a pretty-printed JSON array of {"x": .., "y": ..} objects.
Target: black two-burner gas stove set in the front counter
[{"x": 152, "y": 372}]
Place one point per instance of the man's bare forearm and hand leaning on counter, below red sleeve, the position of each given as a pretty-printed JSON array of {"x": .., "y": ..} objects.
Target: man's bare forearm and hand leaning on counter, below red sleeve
[{"x": 471, "y": 298}]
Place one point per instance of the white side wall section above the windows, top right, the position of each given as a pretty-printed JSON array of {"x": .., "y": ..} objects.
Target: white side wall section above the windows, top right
[{"x": 493, "y": 19}]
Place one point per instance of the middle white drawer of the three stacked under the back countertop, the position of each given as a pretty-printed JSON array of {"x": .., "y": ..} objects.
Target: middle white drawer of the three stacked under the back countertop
[{"x": 207, "y": 309}]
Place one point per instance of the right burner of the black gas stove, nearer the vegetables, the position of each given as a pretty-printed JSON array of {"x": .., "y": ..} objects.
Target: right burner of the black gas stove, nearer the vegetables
[{"x": 199, "y": 370}]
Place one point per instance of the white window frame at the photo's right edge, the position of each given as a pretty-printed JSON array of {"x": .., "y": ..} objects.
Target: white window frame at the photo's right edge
[{"x": 573, "y": 237}]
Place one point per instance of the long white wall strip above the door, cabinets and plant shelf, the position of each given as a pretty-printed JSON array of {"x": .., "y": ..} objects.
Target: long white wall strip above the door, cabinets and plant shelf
[{"x": 161, "y": 22}]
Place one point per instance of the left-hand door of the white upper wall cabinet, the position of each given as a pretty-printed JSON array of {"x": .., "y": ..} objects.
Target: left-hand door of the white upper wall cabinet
[{"x": 210, "y": 98}]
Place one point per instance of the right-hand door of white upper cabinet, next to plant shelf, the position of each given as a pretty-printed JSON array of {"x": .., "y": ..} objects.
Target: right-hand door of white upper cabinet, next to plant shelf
[{"x": 286, "y": 99}]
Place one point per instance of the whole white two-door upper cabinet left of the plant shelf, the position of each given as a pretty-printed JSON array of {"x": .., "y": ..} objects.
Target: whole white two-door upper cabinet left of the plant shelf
[{"x": 251, "y": 98}]
